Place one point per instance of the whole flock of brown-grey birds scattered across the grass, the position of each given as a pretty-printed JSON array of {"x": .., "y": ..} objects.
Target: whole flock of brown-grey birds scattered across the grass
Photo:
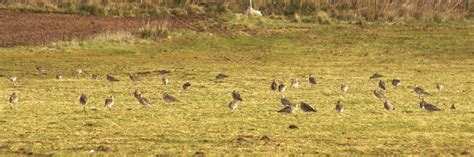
[{"x": 288, "y": 106}]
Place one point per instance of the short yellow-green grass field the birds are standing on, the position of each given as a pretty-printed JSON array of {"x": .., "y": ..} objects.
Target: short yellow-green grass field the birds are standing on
[{"x": 49, "y": 119}]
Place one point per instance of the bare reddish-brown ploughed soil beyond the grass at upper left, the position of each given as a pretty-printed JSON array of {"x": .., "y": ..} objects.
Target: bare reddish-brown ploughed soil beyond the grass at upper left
[{"x": 18, "y": 28}]
